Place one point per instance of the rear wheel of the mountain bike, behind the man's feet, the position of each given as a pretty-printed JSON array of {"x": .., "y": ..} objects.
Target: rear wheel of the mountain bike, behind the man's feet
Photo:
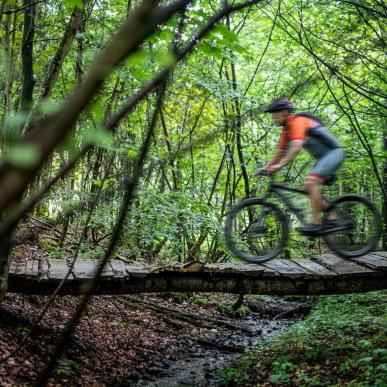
[{"x": 359, "y": 226}]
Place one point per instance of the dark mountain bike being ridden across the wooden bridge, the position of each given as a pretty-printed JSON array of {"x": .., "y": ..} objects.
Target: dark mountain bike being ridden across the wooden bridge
[{"x": 257, "y": 230}]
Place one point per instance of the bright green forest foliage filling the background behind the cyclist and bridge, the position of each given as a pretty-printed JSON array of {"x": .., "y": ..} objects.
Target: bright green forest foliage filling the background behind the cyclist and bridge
[{"x": 211, "y": 135}]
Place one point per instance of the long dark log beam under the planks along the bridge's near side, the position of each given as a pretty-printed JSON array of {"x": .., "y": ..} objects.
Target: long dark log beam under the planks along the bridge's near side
[{"x": 192, "y": 283}]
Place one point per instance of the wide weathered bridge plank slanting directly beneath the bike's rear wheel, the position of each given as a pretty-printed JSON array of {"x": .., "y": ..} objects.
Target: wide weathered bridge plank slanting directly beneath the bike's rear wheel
[{"x": 343, "y": 267}]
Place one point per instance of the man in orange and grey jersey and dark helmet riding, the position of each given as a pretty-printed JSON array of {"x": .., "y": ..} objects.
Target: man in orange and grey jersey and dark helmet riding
[{"x": 303, "y": 130}]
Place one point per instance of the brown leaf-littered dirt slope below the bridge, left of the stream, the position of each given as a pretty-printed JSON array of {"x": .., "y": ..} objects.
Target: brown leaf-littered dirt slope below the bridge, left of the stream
[{"x": 118, "y": 338}]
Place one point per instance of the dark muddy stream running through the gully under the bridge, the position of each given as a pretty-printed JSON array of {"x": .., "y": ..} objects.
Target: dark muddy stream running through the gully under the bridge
[{"x": 198, "y": 364}]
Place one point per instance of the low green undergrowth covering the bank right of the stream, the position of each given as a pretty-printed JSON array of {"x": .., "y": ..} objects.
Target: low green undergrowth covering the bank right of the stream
[{"x": 342, "y": 342}]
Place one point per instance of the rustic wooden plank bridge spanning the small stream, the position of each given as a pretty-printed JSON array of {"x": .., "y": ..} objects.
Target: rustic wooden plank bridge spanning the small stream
[{"x": 324, "y": 274}]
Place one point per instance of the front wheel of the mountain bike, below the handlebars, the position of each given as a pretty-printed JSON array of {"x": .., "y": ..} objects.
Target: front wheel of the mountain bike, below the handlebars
[{"x": 255, "y": 230}]
